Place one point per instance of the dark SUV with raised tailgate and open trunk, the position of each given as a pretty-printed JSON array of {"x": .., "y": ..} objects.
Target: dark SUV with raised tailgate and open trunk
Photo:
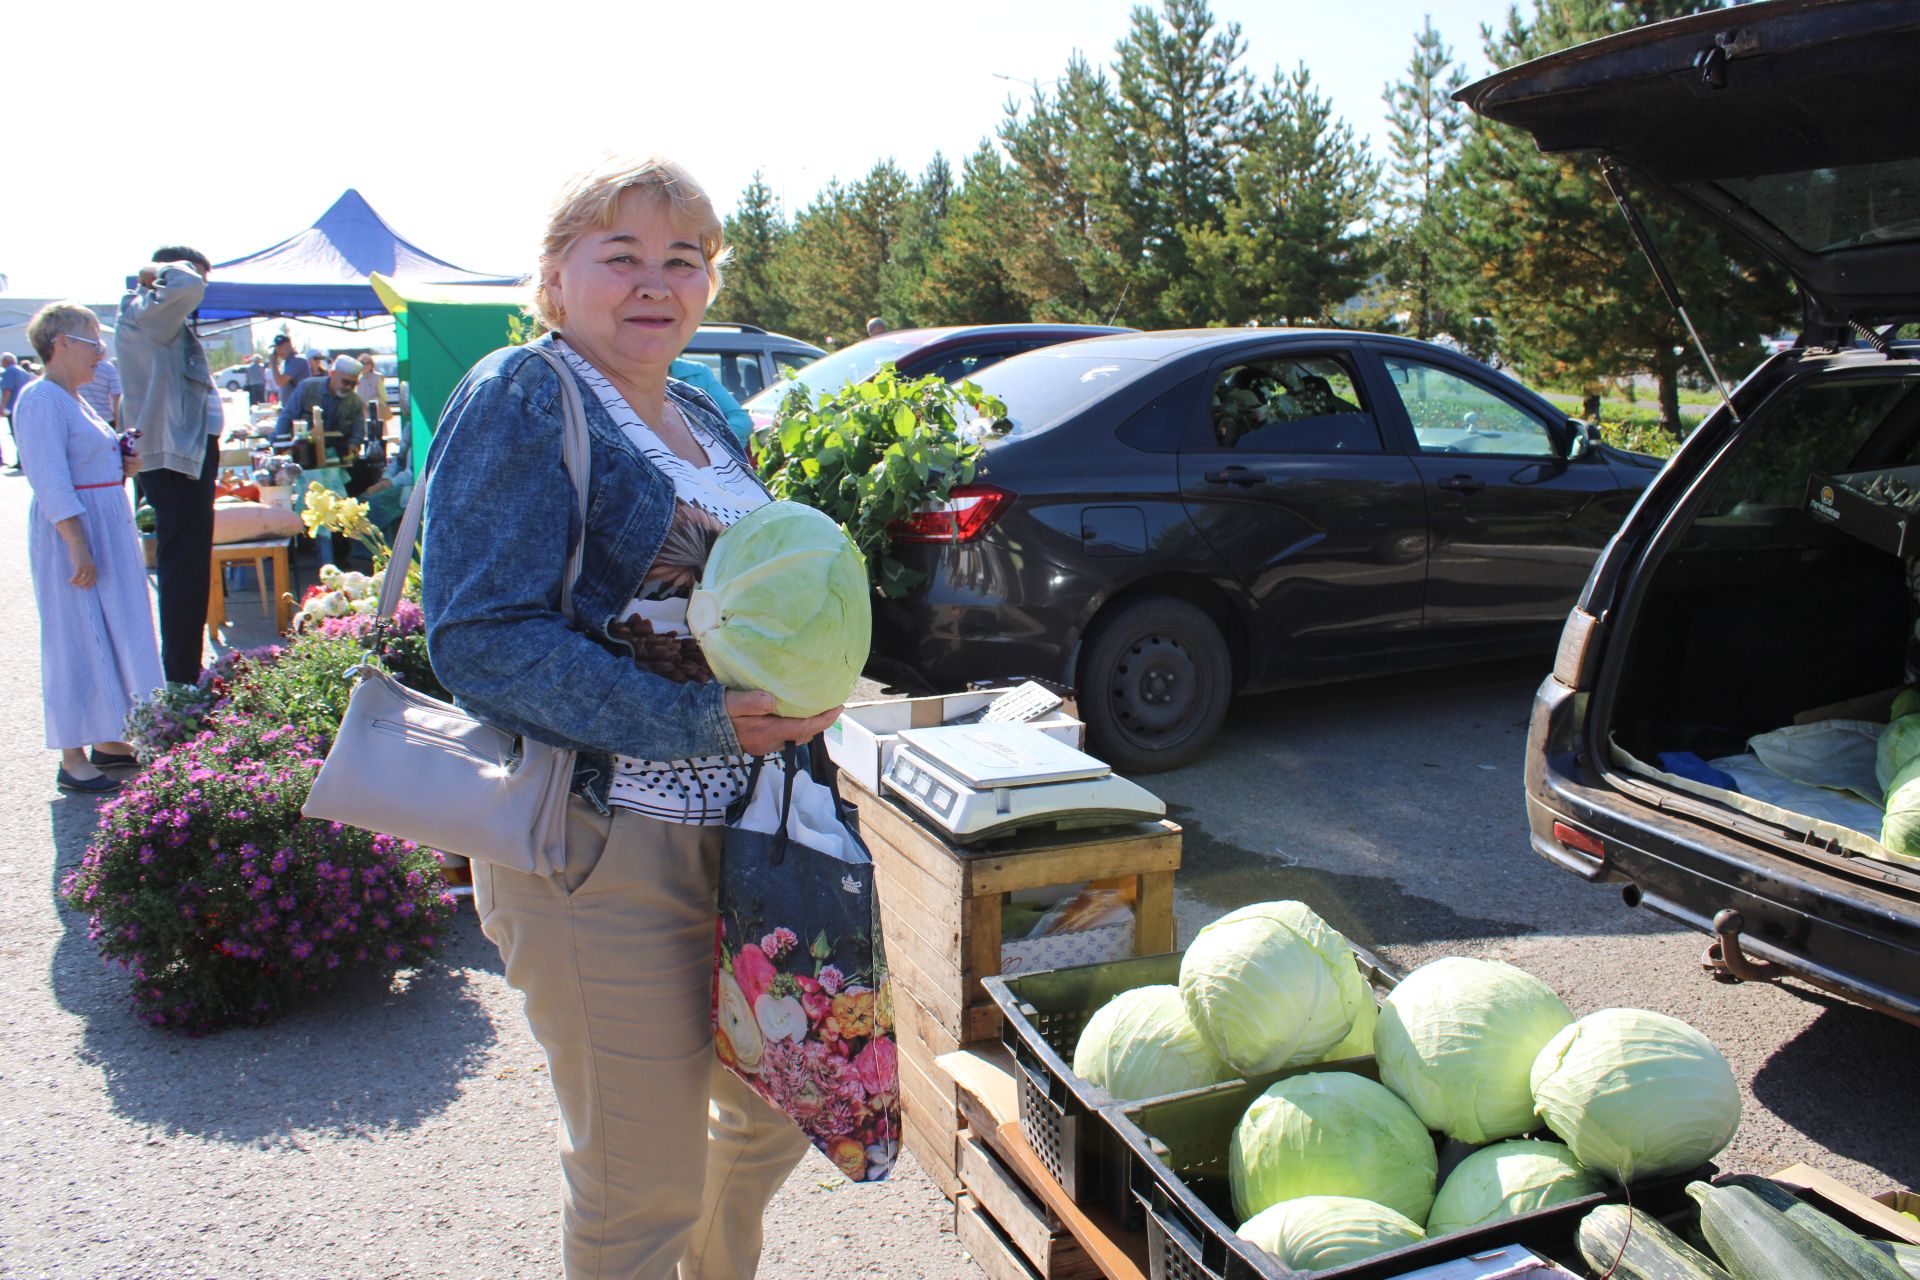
[{"x": 1708, "y": 734}]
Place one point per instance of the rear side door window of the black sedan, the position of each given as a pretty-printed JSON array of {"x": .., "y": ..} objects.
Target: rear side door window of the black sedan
[{"x": 1293, "y": 404}]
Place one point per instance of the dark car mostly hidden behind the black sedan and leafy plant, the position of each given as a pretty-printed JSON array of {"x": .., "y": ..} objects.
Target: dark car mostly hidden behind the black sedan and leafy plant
[{"x": 953, "y": 352}]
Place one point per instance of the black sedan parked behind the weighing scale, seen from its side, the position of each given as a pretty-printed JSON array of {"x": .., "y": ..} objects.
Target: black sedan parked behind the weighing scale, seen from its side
[{"x": 1168, "y": 519}]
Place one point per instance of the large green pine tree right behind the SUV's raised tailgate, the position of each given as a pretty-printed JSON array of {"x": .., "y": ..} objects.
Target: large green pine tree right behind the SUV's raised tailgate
[{"x": 1570, "y": 291}]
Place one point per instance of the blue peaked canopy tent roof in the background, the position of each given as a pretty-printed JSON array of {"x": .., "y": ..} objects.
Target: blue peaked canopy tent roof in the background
[{"x": 325, "y": 270}]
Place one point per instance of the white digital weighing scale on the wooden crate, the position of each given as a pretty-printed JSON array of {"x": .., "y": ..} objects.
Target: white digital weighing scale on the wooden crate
[{"x": 988, "y": 780}]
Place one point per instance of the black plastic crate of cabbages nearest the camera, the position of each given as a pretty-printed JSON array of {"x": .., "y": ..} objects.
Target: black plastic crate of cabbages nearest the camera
[{"x": 1180, "y": 1179}]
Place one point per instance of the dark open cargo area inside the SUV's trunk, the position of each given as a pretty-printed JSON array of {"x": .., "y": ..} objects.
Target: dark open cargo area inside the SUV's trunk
[{"x": 1764, "y": 619}]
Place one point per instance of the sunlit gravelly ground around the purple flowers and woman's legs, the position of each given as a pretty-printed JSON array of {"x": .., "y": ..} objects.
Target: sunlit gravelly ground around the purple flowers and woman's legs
[{"x": 387, "y": 1131}]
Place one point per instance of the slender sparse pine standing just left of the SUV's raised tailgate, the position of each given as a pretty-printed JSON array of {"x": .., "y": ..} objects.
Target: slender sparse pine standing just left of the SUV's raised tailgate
[{"x": 1422, "y": 237}]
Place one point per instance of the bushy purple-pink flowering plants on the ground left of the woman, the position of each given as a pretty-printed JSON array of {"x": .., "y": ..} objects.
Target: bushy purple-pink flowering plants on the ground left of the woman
[{"x": 214, "y": 895}]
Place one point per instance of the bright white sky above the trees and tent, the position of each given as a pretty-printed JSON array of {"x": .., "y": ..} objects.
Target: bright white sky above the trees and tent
[{"x": 231, "y": 128}]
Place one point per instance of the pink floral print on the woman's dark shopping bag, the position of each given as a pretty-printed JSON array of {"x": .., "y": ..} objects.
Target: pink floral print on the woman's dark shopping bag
[{"x": 815, "y": 1037}]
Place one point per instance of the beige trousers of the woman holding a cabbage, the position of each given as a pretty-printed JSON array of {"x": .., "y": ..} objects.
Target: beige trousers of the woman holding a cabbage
[{"x": 615, "y": 960}]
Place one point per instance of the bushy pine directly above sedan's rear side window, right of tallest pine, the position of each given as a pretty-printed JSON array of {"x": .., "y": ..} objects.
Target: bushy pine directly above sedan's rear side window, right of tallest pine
[{"x": 1293, "y": 247}]
